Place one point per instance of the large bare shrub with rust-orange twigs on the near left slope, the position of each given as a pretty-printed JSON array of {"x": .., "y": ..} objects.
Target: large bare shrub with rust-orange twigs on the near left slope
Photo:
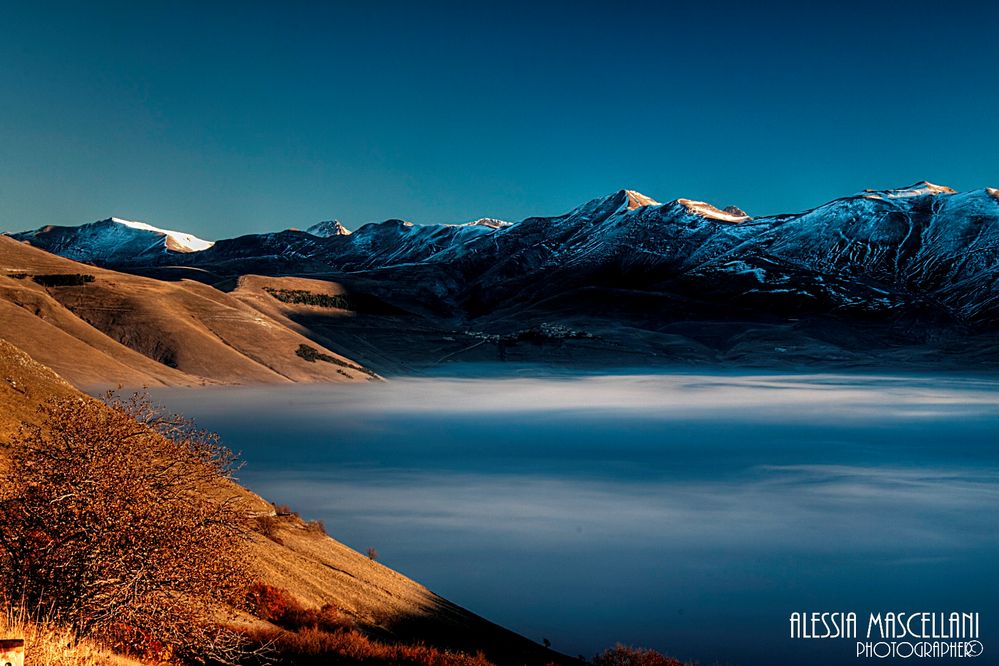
[{"x": 123, "y": 526}]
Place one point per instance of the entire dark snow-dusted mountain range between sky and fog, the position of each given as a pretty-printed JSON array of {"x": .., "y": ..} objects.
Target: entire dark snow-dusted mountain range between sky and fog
[{"x": 896, "y": 276}]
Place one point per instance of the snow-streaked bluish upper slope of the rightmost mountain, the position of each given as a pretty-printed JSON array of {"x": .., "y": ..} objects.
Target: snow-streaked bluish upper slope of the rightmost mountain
[{"x": 923, "y": 244}]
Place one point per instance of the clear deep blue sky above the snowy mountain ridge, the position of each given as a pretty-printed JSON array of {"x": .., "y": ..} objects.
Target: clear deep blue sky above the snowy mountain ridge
[{"x": 236, "y": 117}]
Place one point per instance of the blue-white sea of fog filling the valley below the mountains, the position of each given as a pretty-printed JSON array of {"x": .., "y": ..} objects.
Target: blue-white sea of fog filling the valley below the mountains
[{"x": 685, "y": 512}]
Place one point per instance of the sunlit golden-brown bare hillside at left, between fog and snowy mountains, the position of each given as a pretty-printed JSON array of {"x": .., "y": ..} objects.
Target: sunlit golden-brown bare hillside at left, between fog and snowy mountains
[{"x": 131, "y": 330}]
